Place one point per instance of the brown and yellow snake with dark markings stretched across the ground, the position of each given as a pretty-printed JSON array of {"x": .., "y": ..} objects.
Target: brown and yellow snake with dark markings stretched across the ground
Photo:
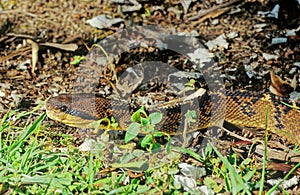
[{"x": 242, "y": 108}]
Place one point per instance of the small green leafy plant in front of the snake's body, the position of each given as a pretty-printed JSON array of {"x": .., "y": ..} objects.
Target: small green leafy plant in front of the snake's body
[{"x": 142, "y": 123}]
